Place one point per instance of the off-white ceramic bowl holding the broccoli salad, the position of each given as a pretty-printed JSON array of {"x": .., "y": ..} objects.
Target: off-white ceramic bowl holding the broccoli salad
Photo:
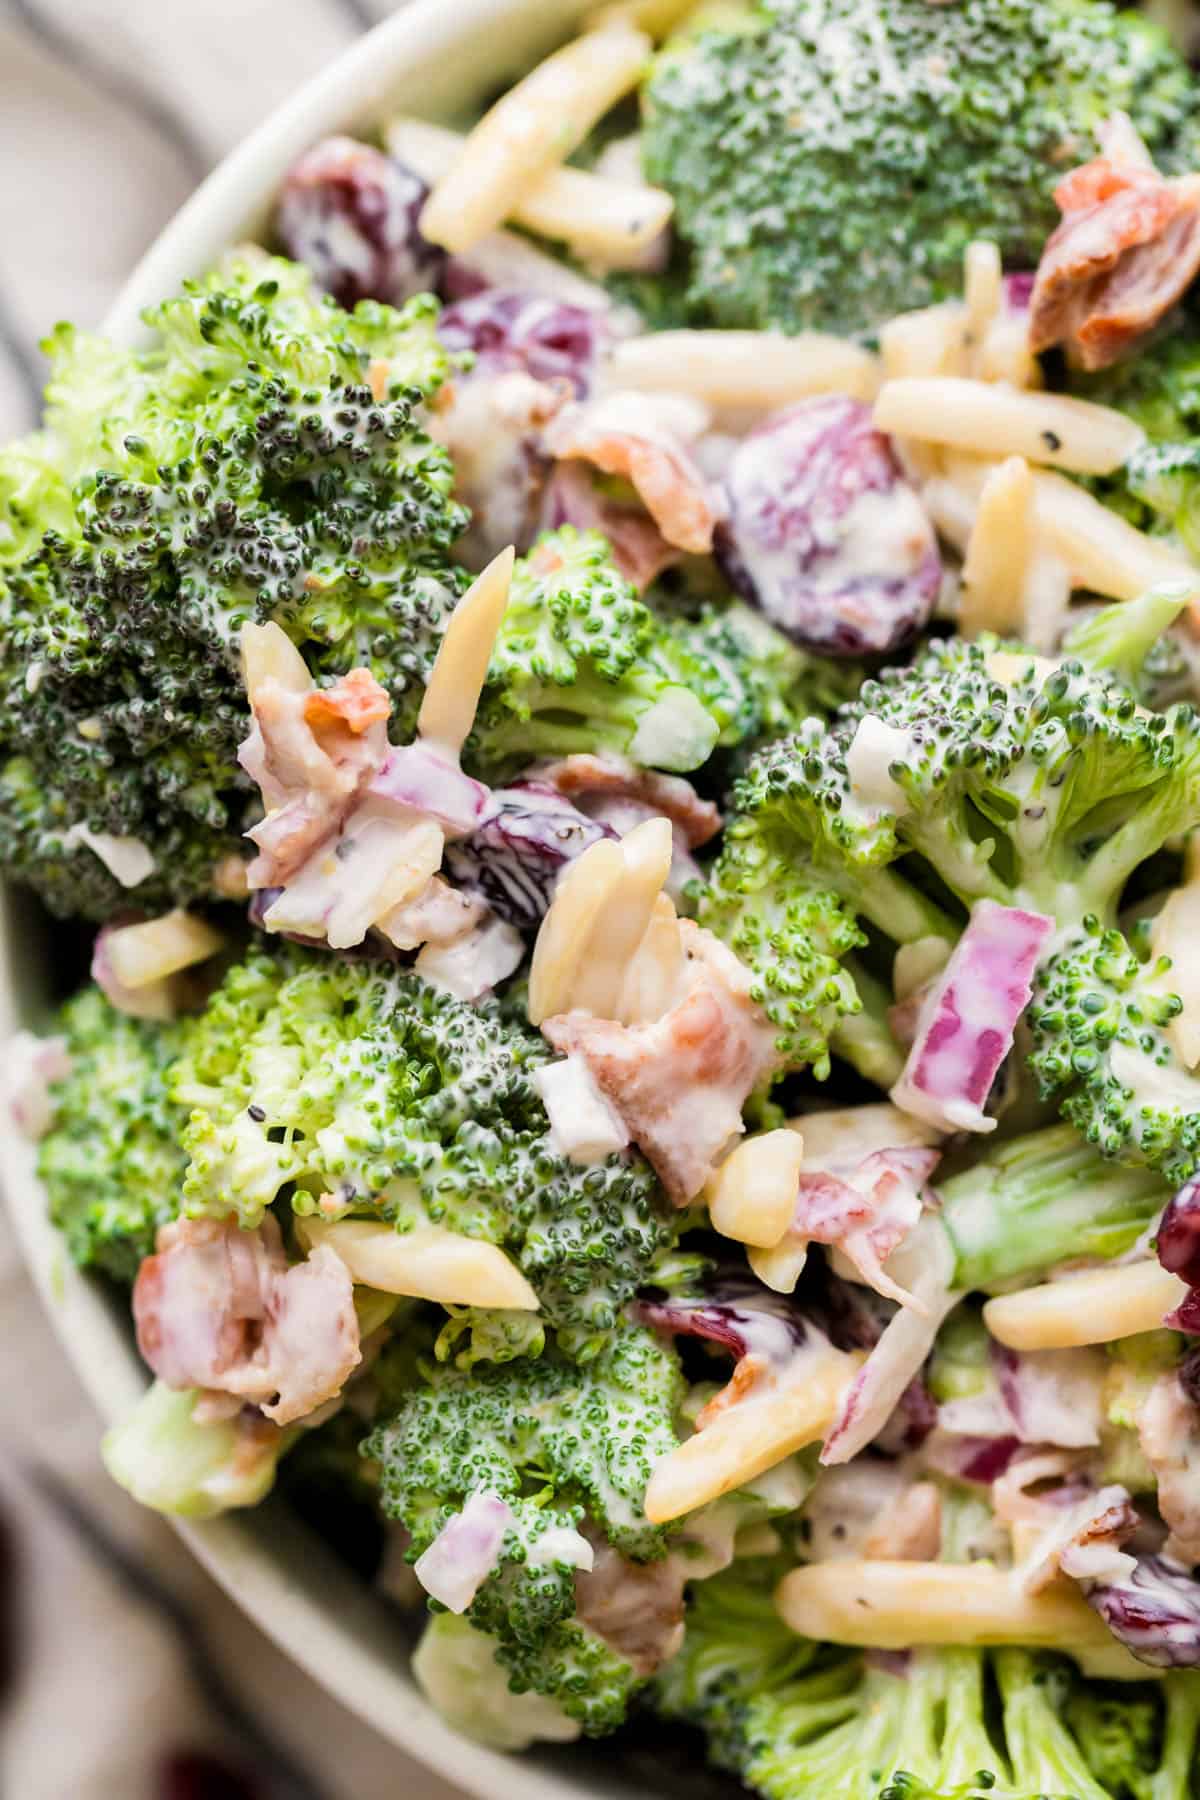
[{"x": 436, "y": 58}]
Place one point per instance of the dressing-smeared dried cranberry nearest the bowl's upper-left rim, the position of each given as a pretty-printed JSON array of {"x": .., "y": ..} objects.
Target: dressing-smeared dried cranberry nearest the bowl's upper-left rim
[{"x": 352, "y": 215}]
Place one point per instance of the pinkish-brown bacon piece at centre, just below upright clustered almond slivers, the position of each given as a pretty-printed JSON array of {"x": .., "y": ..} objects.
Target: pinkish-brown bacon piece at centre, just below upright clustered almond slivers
[{"x": 681, "y": 1083}]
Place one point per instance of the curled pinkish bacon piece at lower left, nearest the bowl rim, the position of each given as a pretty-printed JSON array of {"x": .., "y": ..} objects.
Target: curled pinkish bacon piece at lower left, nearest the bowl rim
[{"x": 222, "y": 1309}]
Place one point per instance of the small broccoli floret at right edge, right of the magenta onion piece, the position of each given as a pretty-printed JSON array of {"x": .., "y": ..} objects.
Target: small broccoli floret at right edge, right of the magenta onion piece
[{"x": 1098, "y": 1021}]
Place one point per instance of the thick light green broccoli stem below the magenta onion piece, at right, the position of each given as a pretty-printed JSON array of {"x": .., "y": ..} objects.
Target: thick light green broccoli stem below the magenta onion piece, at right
[{"x": 1044, "y": 1200}]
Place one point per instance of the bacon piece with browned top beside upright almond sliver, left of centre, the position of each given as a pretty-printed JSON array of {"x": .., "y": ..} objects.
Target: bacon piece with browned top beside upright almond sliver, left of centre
[{"x": 312, "y": 755}]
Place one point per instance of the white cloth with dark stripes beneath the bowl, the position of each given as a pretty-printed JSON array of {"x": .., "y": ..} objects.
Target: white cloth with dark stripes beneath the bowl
[{"x": 111, "y": 111}]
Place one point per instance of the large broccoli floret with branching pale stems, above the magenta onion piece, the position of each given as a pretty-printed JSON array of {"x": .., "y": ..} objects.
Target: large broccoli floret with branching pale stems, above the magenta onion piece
[{"x": 998, "y": 778}]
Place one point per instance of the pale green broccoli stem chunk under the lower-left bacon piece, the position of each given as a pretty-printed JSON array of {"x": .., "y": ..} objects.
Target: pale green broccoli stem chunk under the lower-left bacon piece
[{"x": 166, "y": 1461}]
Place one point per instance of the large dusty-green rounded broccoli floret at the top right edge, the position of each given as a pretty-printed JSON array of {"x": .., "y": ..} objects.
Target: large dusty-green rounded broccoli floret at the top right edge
[{"x": 832, "y": 163}]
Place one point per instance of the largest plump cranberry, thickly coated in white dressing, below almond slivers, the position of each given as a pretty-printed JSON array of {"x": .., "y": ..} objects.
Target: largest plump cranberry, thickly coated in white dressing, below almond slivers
[{"x": 825, "y": 535}]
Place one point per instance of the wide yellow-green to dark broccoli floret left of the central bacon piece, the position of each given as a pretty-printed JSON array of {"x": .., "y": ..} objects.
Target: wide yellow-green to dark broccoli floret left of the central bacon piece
[{"x": 399, "y": 1101}]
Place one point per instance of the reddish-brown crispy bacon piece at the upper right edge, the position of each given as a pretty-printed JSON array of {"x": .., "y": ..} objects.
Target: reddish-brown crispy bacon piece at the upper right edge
[{"x": 1125, "y": 253}]
